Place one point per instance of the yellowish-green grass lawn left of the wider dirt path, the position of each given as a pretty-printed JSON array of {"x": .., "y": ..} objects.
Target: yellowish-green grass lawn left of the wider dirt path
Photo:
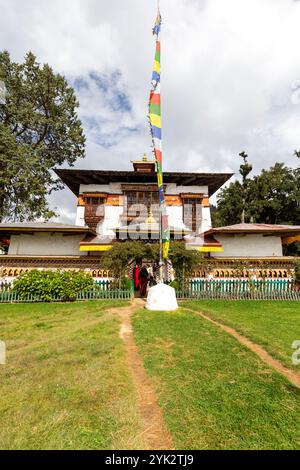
[{"x": 66, "y": 384}]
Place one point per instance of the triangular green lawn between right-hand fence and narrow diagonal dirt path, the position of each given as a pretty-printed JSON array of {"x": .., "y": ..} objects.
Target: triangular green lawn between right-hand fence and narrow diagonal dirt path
[{"x": 274, "y": 325}]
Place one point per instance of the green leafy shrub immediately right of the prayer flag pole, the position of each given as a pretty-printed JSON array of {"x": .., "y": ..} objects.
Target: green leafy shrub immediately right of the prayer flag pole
[{"x": 183, "y": 261}]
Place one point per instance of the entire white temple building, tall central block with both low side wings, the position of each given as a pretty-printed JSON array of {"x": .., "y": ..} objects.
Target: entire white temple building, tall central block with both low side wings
[{"x": 114, "y": 206}]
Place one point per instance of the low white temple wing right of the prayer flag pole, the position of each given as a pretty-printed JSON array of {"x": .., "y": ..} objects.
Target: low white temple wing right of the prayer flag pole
[{"x": 245, "y": 250}]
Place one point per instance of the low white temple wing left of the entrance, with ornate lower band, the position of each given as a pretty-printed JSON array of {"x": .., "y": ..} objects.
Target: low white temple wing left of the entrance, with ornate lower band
[{"x": 36, "y": 245}]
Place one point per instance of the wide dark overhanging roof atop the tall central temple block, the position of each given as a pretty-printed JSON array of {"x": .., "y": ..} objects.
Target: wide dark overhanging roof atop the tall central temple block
[{"x": 74, "y": 178}]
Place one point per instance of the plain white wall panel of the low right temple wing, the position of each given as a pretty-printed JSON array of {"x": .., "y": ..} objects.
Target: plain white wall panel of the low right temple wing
[{"x": 254, "y": 245}]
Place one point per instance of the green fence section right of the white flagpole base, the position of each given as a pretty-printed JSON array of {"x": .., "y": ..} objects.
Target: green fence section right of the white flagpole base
[{"x": 239, "y": 289}]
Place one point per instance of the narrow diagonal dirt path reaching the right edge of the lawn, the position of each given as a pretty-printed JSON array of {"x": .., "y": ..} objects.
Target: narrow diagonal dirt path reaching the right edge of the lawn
[{"x": 293, "y": 377}]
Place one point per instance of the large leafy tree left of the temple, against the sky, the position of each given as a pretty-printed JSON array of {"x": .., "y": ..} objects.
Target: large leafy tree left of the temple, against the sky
[{"x": 39, "y": 129}]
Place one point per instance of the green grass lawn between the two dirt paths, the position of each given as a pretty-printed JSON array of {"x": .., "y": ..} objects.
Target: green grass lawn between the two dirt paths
[{"x": 215, "y": 394}]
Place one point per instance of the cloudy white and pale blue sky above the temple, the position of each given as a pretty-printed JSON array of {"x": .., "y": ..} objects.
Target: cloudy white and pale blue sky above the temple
[{"x": 231, "y": 77}]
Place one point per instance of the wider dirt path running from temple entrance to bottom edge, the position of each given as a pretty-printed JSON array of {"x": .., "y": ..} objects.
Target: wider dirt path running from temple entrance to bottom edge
[{"x": 155, "y": 432}]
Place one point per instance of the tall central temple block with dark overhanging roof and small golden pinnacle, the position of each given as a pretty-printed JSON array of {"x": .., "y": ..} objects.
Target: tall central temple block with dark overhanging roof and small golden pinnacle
[{"x": 109, "y": 200}]
